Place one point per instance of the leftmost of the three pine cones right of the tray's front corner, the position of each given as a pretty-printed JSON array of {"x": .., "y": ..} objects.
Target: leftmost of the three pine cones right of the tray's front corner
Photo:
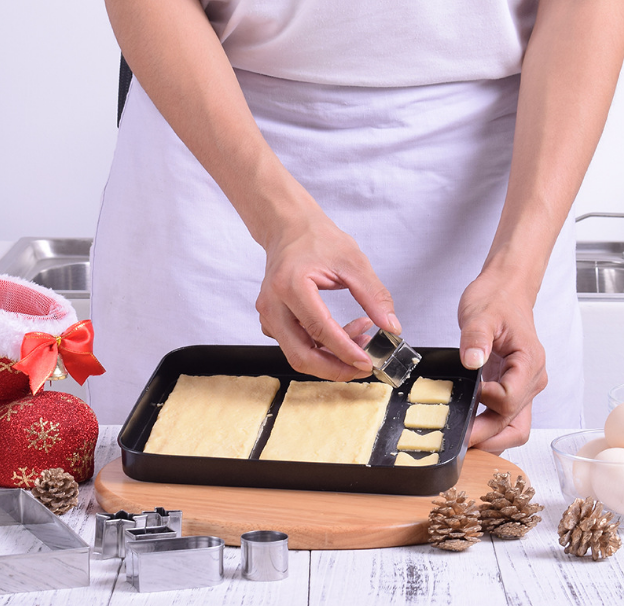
[{"x": 454, "y": 523}]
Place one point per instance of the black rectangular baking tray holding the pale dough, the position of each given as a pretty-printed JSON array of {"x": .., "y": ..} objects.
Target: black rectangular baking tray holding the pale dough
[{"x": 379, "y": 476}]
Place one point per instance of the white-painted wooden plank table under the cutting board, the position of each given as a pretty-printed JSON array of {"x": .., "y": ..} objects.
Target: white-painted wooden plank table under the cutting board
[{"x": 531, "y": 571}]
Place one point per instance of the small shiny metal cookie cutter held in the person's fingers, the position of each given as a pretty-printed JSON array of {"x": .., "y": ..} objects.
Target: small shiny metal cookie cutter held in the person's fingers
[{"x": 393, "y": 359}]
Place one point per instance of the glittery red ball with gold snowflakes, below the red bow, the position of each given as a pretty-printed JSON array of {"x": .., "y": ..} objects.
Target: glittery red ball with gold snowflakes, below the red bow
[{"x": 50, "y": 429}]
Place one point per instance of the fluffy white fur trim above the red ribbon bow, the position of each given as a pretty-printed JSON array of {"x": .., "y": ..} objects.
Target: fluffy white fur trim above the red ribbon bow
[{"x": 14, "y": 326}]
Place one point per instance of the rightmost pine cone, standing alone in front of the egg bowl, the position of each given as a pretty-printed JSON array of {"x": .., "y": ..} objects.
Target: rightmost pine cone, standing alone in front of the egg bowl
[{"x": 583, "y": 527}]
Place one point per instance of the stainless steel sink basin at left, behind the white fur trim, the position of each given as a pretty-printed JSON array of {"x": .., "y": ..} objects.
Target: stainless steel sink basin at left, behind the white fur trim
[{"x": 61, "y": 264}]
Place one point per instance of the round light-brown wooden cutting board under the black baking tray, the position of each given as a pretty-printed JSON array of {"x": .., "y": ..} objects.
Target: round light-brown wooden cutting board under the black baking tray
[{"x": 312, "y": 520}]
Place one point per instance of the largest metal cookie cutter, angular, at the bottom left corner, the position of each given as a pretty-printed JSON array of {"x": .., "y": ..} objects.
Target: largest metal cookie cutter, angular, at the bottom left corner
[{"x": 38, "y": 551}]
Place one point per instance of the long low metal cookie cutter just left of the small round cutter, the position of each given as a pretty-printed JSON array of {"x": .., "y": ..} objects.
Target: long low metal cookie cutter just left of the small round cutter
[{"x": 179, "y": 563}]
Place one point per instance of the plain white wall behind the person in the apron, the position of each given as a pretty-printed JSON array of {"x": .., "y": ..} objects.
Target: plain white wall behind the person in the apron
[{"x": 58, "y": 107}]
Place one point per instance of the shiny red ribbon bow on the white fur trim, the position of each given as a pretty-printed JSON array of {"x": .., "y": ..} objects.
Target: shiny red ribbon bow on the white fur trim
[{"x": 40, "y": 352}]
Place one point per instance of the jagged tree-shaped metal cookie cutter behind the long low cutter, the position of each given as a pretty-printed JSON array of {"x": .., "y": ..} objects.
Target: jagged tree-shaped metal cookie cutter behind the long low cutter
[{"x": 110, "y": 537}]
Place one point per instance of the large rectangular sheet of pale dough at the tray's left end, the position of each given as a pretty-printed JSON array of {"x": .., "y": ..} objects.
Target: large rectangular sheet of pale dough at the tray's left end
[{"x": 215, "y": 416}]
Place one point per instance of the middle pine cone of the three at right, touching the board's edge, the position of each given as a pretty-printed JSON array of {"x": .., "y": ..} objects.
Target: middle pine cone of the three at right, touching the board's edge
[{"x": 507, "y": 512}]
